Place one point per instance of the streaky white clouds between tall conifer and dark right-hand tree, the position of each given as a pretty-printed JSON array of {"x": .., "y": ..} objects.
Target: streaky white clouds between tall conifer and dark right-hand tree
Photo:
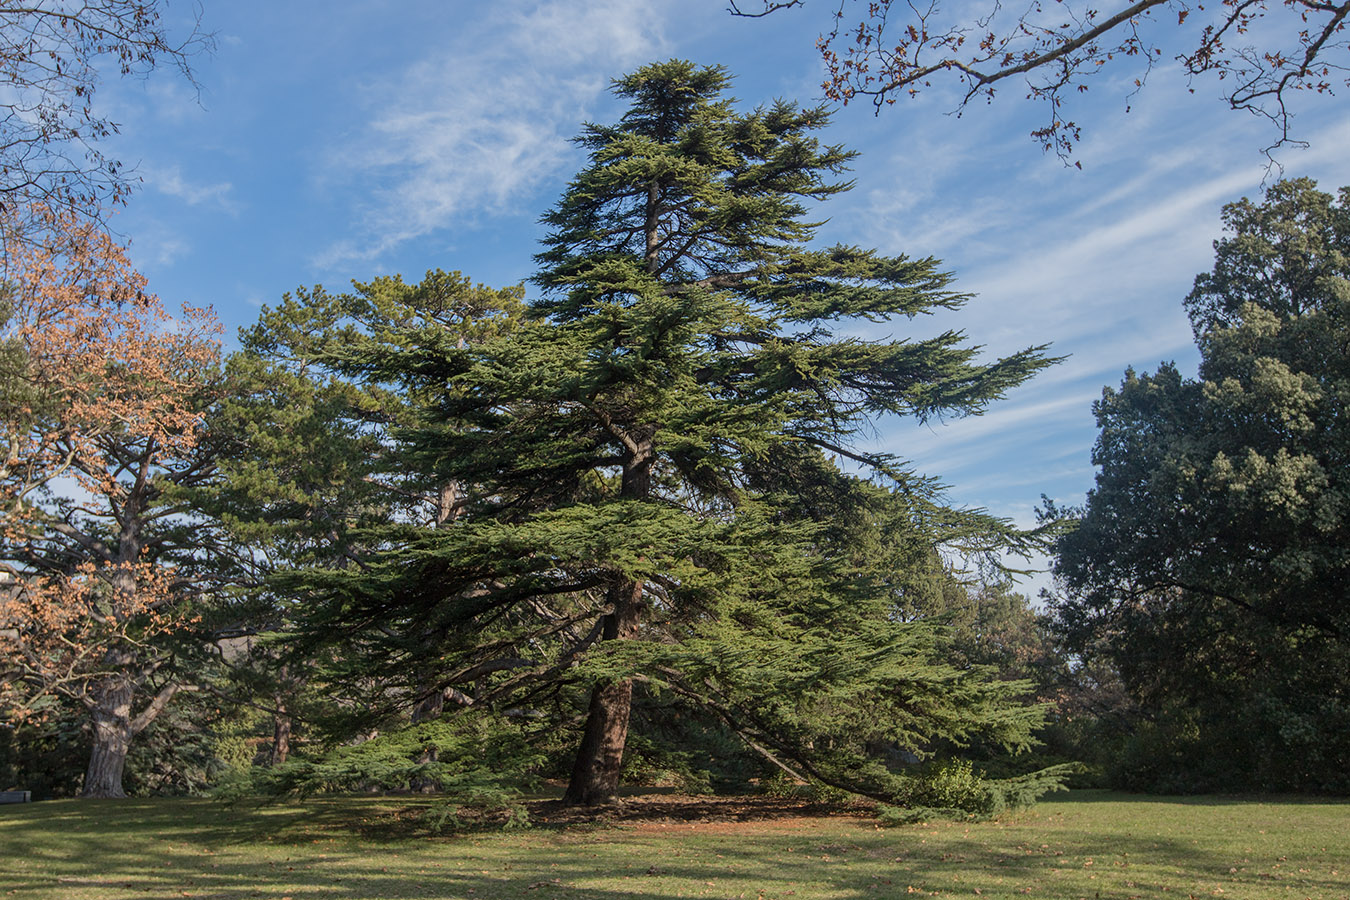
[{"x": 1097, "y": 264}]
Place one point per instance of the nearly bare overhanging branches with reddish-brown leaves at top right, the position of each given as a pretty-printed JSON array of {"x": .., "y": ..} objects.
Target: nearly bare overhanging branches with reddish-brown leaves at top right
[{"x": 1266, "y": 53}]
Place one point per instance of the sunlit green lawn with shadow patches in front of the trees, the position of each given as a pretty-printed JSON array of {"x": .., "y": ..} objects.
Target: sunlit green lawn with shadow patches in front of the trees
[{"x": 1082, "y": 845}]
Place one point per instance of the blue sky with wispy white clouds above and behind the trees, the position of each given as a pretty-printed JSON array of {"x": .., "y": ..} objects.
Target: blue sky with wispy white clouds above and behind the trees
[{"x": 338, "y": 141}]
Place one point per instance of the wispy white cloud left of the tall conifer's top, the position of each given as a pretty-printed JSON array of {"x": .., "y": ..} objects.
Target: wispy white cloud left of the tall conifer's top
[{"x": 481, "y": 126}]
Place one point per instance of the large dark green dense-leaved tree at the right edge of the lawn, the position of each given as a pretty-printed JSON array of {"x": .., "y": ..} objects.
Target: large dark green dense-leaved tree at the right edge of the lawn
[{"x": 1209, "y": 562}]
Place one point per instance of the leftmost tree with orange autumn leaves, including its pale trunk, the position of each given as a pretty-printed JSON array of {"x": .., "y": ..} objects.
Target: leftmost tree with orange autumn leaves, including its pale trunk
[{"x": 102, "y": 427}]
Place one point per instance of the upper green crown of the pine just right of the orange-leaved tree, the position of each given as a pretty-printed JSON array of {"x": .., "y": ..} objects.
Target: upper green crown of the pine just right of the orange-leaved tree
[{"x": 313, "y": 461}]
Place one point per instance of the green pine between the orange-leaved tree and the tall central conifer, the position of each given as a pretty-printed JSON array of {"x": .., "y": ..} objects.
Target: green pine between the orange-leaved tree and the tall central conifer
[{"x": 313, "y": 476}]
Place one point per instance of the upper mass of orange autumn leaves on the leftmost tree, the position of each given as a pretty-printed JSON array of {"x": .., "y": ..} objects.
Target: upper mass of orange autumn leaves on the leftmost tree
[{"x": 98, "y": 356}]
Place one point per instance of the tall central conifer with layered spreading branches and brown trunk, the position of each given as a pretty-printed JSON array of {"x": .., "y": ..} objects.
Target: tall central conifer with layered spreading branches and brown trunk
[{"x": 654, "y": 499}]
